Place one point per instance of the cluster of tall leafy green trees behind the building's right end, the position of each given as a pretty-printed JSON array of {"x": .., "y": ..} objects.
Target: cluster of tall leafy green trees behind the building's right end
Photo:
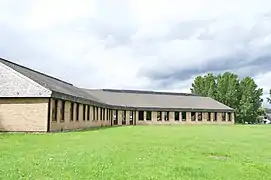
[{"x": 241, "y": 94}]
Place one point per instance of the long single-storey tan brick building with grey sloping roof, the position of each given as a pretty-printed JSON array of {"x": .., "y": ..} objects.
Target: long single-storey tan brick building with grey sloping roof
[{"x": 33, "y": 101}]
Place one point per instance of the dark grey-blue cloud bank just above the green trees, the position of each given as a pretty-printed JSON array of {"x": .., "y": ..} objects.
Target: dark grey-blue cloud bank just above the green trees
[{"x": 239, "y": 64}]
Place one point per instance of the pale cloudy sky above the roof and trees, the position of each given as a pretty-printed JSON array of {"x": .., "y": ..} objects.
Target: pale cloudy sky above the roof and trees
[{"x": 138, "y": 44}]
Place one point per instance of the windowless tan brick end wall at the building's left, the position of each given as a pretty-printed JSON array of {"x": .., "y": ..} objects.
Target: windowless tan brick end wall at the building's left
[{"x": 23, "y": 114}]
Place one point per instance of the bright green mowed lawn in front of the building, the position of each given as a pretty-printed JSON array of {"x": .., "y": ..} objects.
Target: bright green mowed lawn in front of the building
[{"x": 140, "y": 152}]
